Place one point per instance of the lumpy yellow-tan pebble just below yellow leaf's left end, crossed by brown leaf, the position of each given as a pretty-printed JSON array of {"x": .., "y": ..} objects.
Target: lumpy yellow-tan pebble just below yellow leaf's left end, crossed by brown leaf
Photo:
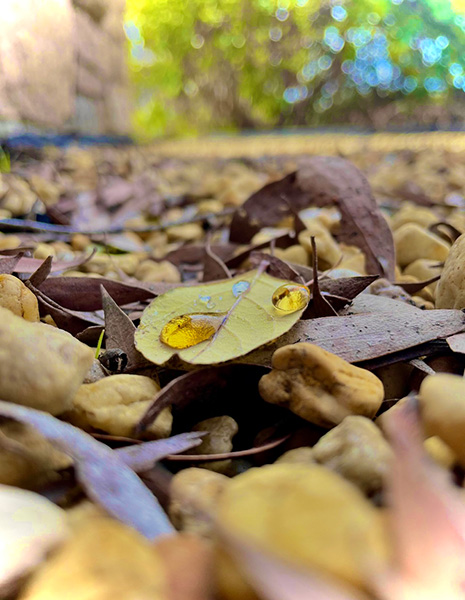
[{"x": 115, "y": 404}]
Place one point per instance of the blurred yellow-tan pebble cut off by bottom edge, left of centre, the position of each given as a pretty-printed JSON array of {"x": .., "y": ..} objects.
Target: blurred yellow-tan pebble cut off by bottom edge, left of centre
[{"x": 101, "y": 560}]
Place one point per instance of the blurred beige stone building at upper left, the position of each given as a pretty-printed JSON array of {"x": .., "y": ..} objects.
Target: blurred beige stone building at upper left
[{"x": 63, "y": 66}]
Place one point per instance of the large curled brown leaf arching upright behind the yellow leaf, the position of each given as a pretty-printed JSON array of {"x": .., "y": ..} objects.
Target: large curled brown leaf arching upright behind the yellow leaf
[{"x": 323, "y": 181}]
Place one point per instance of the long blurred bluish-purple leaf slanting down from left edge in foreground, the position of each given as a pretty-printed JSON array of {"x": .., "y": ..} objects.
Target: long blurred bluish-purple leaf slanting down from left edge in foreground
[{"x": 104, "y": 475}]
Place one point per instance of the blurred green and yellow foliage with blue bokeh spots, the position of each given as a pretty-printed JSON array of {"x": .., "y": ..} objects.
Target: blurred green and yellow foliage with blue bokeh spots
[{"x": 210, "y": 65}]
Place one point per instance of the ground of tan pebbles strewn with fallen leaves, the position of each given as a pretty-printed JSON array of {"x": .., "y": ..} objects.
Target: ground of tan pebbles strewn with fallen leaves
[{"x": 277, "y": 403}]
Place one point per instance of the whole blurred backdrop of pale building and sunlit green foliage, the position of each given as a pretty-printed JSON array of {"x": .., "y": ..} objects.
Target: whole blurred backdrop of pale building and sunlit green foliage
[{"x": 150, "y": 68}]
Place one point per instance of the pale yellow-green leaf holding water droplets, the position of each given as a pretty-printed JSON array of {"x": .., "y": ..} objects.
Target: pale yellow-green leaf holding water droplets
[{"x": 242, "y": 314}]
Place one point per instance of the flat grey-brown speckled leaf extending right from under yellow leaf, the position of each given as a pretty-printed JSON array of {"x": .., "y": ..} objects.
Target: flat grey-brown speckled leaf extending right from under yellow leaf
[{"x": 362, "y": 337}]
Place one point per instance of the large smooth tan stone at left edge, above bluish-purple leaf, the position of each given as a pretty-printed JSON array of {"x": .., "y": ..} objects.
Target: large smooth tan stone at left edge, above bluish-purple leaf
[{"x": 40, "y": 366}]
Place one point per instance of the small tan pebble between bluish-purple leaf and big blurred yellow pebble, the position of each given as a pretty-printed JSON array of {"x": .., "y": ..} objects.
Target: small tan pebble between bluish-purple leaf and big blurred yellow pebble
[{"x": 194, "y": 495}]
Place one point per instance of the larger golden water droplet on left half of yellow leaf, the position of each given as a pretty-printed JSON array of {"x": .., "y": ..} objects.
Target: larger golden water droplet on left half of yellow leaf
[{"x": 188, "y": 330}]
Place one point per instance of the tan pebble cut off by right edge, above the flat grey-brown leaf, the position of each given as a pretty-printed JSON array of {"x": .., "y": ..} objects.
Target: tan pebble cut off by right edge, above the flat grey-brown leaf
[{"x": 450, "y": 292}]
